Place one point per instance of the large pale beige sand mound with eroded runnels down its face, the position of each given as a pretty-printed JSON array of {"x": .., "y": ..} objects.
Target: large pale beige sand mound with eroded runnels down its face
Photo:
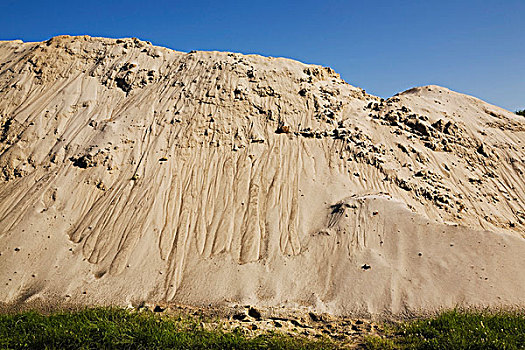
[{"x": 136, "y": 173}]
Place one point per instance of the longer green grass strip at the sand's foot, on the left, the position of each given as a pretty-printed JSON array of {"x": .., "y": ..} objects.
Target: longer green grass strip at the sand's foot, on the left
[{"x": 113, "y": 328}]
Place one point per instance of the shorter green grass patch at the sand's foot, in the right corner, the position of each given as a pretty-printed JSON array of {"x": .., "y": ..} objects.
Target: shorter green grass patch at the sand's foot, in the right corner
[{"x": 456, "y": 330}]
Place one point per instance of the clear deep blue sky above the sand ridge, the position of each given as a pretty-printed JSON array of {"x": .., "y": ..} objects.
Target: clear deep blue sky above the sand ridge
[{"x": 475, "y": 47}]
